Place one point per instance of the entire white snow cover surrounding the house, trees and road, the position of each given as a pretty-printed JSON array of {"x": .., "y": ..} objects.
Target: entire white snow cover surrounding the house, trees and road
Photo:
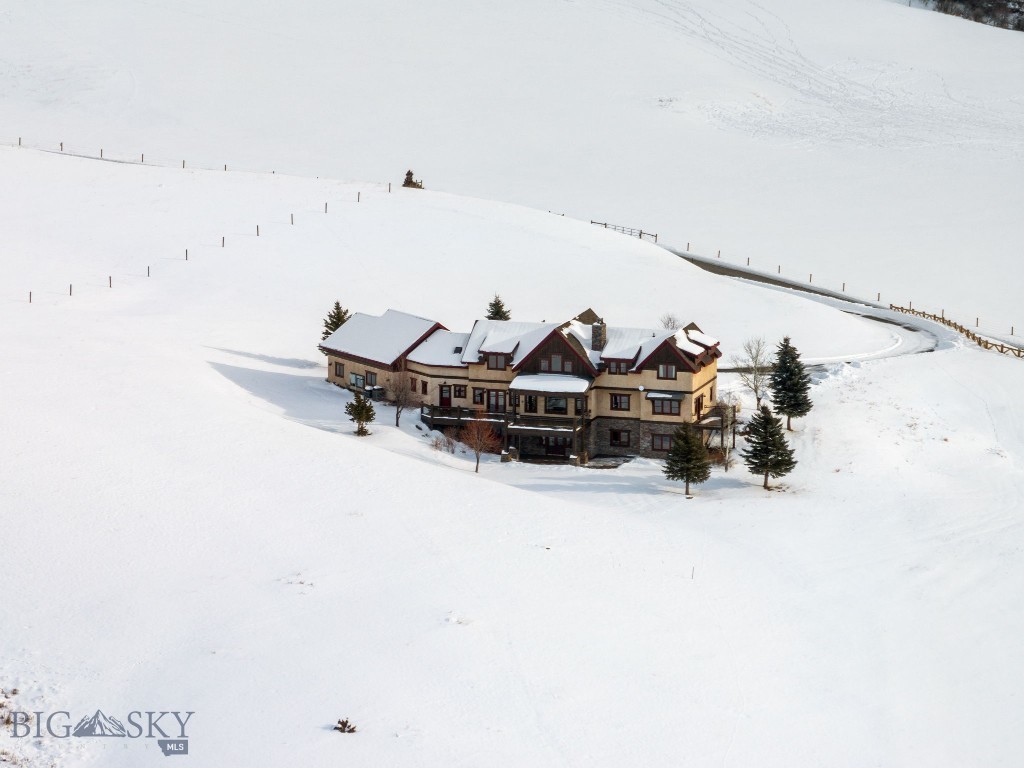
[{"x": 189, "y": 525}]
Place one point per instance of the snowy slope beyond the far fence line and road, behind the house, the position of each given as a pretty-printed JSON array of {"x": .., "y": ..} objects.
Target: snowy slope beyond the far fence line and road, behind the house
[{"x": 860, "y": 141}]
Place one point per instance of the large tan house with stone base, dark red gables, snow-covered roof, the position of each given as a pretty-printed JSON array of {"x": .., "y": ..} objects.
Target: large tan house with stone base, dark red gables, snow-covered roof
[{"x": 574, "y": 390}]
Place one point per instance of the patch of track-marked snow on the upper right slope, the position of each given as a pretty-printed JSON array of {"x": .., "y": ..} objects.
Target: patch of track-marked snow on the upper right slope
[{"x": 867, "y": 104}]
